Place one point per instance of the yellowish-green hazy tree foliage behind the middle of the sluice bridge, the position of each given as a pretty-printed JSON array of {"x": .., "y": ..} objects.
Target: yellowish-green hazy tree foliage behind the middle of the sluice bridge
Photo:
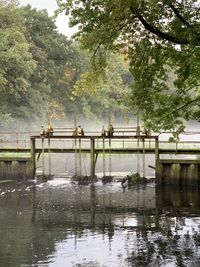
[{"x": 104, "y": 93}]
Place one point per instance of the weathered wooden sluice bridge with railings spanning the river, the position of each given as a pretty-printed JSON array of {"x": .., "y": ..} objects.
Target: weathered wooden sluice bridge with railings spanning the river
[{"x": 19, "y": 146}]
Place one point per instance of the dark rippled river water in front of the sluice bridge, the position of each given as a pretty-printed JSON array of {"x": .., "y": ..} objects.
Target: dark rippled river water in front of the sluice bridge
[{"x": 60, "y": 224}]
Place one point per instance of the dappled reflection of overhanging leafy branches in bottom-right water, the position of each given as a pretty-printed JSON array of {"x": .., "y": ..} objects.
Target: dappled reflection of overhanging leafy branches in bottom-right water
[{"x": 162, "y": 247}]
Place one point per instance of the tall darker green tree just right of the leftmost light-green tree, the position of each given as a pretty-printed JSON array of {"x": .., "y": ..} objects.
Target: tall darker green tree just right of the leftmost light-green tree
[{"x": 52, "y": 80}]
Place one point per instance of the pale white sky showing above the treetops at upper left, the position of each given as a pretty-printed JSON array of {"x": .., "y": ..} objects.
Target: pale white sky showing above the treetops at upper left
[{"x": 51, "y": 6}]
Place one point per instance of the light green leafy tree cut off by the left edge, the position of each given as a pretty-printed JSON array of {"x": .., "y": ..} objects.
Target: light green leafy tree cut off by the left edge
[{"x": 16, "y": 62}]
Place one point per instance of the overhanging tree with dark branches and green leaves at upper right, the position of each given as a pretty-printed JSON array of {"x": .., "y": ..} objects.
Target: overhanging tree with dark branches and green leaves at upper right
[{"x": 161, "y": 39}]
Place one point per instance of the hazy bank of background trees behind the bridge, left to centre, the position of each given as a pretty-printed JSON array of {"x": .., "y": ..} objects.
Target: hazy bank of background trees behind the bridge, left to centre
[{"x": 41, "y": 69}]
